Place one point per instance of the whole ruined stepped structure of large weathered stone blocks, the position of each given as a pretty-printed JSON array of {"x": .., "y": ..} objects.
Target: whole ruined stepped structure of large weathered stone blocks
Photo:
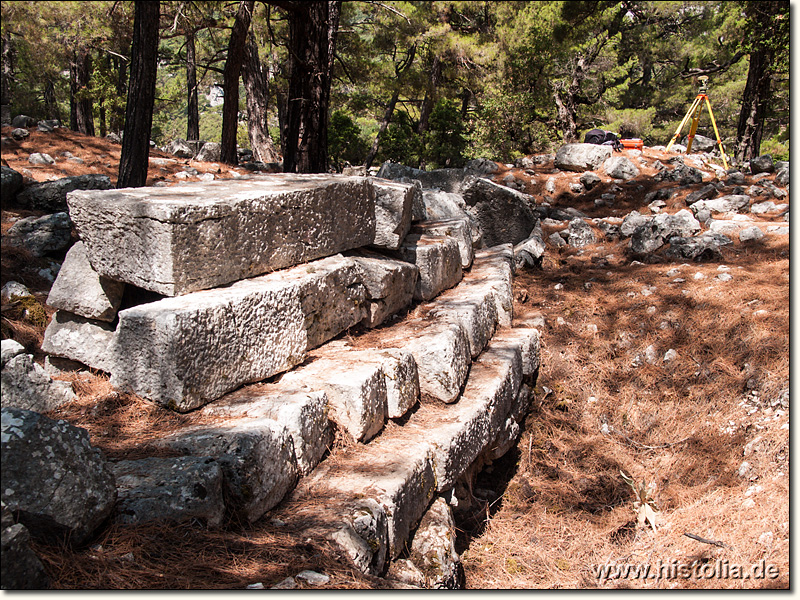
[{"x": 401, "y": 338}]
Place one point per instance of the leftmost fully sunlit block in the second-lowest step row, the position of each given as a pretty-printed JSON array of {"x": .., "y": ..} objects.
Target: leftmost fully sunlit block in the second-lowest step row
[{"x": 303, "y": 414}]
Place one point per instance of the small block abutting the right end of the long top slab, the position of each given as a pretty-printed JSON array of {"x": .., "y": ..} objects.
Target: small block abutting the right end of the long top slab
[{"x": 393, "y": 206}]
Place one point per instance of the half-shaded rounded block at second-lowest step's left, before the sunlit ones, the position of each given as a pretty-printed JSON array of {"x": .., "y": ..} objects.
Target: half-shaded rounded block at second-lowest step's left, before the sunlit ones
[{"x": 256, "y": 457}]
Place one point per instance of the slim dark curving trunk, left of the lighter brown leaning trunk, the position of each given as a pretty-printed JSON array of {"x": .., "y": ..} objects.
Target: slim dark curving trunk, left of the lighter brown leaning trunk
[{"x": 230, "y": 85}]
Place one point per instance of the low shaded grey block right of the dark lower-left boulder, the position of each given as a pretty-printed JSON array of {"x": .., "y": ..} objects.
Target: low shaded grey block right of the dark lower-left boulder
[{"x": 173, "y": 490}]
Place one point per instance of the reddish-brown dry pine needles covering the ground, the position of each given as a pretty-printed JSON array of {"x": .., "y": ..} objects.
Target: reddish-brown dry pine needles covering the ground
[{"x": 559, "y": 511}]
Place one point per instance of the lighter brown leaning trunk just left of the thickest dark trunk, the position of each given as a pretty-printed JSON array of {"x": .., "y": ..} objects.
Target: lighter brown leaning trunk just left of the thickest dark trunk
[{"x": 257, "y": 90}]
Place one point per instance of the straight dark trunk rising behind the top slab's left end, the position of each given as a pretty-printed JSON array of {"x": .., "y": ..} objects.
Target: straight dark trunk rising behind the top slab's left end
[{"x": 141, "y": 96}]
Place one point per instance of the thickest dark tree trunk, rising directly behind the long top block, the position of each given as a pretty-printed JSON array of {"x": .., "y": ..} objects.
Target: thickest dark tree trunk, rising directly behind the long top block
[{"x": 312, "y": 33}]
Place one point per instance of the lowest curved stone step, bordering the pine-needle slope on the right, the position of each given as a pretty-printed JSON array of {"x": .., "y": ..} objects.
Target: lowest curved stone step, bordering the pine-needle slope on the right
[{"x": 368, "y": 499}]
